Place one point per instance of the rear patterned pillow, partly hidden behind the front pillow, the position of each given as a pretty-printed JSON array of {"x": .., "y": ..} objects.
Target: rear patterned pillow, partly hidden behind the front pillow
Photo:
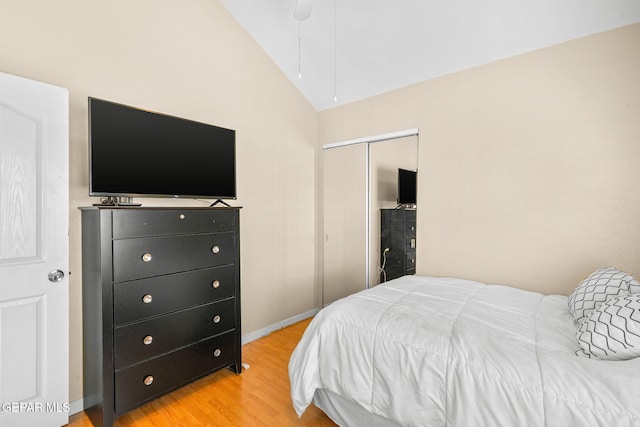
[{"x": 602, "y": 285}]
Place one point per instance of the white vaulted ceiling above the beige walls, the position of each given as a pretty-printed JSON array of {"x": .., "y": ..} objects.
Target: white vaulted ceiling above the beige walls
[{"x": 353, "y": 49}]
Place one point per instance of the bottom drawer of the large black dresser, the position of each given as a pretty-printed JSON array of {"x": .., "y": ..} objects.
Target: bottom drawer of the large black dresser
[{"x": 171, "y": 371}]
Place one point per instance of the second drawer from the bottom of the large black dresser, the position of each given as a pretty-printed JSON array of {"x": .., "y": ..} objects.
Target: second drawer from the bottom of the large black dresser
[{"x": 149, "y": 338}]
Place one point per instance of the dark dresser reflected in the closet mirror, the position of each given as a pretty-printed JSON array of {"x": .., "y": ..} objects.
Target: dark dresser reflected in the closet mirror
[{"x": 398, "y": 233}]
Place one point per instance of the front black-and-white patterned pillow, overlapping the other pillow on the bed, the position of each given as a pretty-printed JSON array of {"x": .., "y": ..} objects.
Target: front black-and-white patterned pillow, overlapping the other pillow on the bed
[{"x": 612, "y": 331}]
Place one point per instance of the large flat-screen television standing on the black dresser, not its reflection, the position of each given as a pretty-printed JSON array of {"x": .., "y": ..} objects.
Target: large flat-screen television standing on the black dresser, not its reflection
[{"x": 135, "y": 152}]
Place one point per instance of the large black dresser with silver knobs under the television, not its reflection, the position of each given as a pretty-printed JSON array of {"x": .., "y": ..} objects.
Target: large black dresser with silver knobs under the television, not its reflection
[{"x": 161, "y": 302}]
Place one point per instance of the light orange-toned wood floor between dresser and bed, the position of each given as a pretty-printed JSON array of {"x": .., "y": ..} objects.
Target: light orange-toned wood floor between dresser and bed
[{"x": 257, "y": 397}]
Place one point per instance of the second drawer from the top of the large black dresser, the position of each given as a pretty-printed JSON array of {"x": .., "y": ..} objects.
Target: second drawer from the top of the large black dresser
[{"x": 155, "y": 256}]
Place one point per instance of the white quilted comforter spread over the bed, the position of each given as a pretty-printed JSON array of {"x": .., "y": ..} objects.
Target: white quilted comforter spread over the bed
[{"x": 426, "y": 351}]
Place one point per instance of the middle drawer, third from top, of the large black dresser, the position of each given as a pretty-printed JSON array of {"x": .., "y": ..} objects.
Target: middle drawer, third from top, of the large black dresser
[{"x": 140, "y": 299}]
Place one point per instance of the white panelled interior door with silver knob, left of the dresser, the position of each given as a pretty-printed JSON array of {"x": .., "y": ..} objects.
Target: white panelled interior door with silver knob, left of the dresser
[{"x": 34, "y": 301}]
